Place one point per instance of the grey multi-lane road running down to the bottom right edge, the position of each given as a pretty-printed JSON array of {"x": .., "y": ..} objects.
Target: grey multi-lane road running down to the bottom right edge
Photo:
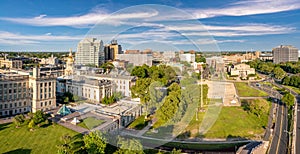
[{"x": 280, "y": 138}]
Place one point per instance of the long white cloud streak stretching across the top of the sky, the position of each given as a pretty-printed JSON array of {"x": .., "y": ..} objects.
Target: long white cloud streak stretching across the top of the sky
[{"x": 159, "y": 13}]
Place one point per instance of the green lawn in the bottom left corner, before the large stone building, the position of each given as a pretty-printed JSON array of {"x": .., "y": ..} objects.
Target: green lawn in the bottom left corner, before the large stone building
[{"x": 41, "y": 140}]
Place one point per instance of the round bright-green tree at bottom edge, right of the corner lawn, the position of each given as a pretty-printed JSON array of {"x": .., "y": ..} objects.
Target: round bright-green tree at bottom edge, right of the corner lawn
[{"x": 94, "y": 142}]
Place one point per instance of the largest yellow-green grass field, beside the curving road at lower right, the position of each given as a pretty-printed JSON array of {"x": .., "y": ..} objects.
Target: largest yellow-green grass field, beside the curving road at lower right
[{"x": 233, "y": 122}]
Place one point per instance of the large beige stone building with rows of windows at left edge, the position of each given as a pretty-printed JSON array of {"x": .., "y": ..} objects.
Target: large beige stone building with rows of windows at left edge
[{"x": 22, "y": 91}]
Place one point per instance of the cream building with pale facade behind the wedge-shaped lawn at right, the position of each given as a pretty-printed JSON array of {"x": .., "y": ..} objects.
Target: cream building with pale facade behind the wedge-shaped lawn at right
[{"x": 241, "y": 70}]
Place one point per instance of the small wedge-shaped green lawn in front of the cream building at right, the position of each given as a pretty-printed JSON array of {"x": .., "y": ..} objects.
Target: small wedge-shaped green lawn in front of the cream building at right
[{"x": 244, "y": 90}]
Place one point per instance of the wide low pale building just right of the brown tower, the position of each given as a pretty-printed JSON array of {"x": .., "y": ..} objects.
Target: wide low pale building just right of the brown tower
[{"x": 137, "y": 59}]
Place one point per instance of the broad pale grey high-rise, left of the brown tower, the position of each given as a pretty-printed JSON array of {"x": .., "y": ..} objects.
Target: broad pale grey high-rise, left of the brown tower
[{"x": 90, "y": 51}]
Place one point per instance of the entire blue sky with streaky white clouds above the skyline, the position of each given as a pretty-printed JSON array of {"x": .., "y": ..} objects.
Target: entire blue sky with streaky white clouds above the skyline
[{"x": 164, "y": 25}]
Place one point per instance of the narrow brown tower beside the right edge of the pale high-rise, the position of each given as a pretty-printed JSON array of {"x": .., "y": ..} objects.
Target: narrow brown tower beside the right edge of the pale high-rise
[{"x": 111, "y": 50}]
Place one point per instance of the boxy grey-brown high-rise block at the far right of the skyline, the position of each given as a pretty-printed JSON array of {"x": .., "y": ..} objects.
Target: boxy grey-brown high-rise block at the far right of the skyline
[{"x": 285, "y": 54}]
